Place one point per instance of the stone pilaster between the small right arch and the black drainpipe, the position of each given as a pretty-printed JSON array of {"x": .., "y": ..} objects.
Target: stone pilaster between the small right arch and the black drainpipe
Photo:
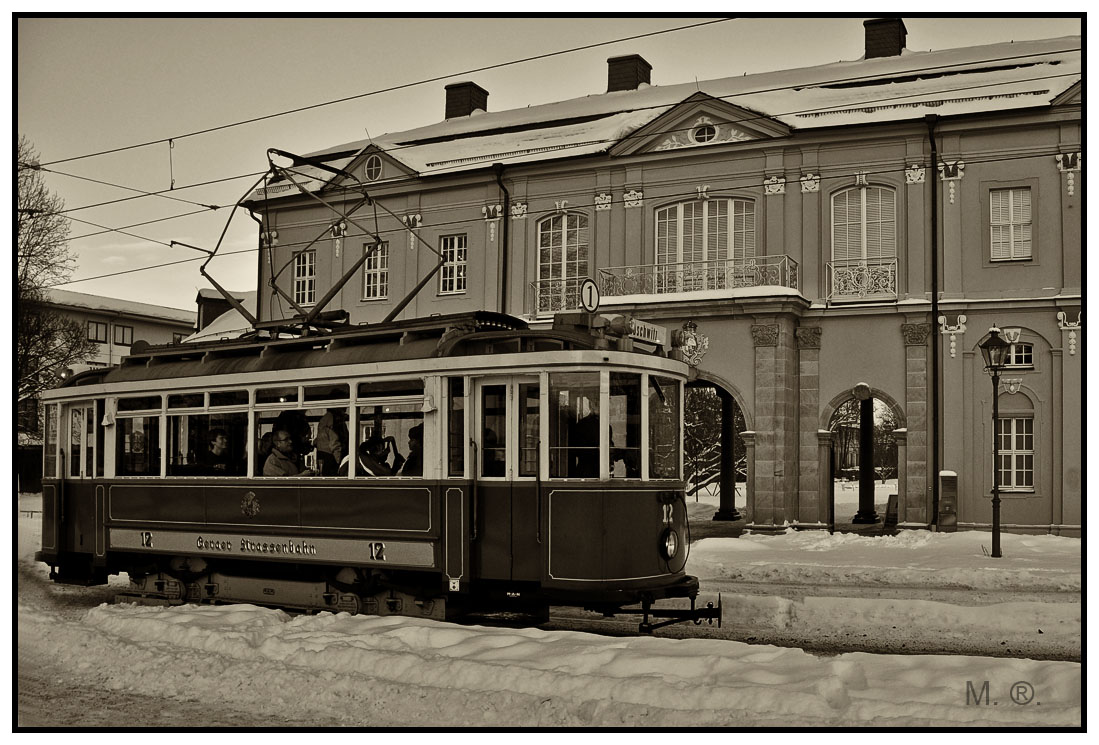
[{"x": 916, "y": 507}]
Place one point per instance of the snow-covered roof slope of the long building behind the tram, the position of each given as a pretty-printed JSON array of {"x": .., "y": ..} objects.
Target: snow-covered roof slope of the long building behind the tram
[{"x": 995, "y": 77}]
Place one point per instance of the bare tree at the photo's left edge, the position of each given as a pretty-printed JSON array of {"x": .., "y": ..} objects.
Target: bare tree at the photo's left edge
[{"x": 47, "y": 341}]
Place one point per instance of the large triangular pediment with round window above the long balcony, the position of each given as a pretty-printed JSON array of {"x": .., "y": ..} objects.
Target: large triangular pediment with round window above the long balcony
[{"x": 701, "y": 121}]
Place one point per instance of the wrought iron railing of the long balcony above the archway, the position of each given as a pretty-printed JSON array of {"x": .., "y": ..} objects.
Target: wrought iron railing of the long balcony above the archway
[{"x": 695, "y": 276}]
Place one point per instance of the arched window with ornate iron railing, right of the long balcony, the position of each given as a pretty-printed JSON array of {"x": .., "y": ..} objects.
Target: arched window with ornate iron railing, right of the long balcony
[{"x": 864, "y": 244}]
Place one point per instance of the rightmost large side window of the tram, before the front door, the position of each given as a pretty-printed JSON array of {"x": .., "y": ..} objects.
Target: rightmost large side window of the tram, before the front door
[{"x": 383, "y": 441}]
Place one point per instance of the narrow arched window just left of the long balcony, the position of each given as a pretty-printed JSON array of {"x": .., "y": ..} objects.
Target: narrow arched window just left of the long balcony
[{"x": 563, "y": 261}]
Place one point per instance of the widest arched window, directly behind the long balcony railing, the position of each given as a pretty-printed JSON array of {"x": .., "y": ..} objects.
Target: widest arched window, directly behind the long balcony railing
[{"x": 695, "y": 240}]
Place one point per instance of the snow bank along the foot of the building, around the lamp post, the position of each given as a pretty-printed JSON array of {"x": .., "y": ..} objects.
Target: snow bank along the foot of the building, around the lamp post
[{"x": 912, "y": 559}]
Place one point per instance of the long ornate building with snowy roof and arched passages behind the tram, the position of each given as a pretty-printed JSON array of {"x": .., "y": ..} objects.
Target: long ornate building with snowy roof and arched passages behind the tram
[{"x": 814, "y": 237}]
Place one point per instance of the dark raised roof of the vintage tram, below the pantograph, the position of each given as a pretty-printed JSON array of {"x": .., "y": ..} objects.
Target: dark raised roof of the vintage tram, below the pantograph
[{"x": 459, "y": 335}]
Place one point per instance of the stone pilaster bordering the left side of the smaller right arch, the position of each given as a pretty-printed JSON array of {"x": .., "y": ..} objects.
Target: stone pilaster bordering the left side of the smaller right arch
[{"x": 813, "y": 507}]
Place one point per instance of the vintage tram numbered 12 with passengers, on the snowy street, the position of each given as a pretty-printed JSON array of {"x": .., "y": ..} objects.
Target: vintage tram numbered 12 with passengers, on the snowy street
[{"x": 428, "y": 468}]
